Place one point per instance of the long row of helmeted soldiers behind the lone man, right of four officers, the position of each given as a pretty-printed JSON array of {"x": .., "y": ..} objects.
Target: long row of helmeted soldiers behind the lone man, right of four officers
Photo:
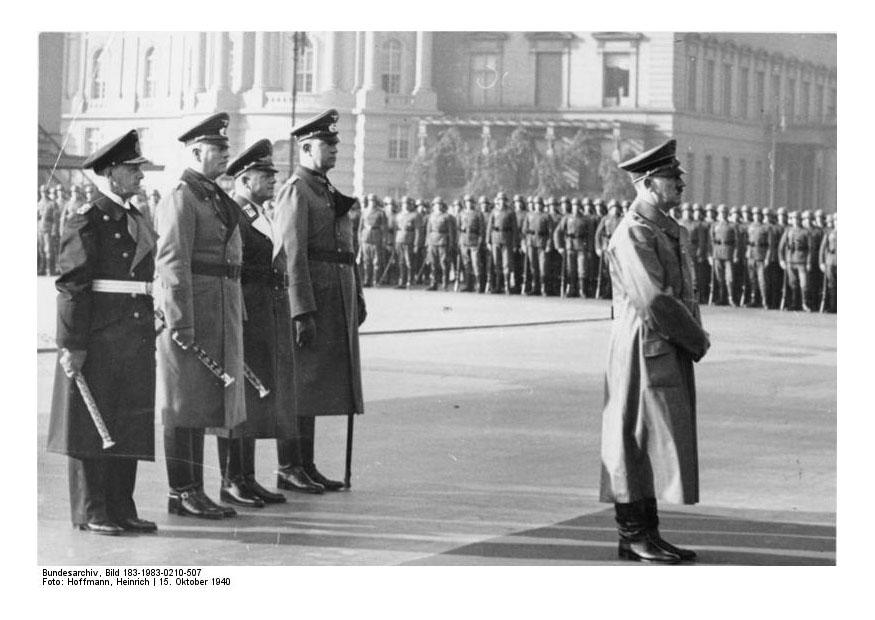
[{"x": 743, "y": 256}]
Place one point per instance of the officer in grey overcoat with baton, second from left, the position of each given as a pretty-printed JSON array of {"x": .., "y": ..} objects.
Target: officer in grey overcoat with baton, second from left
[{"x": 198, "y": 294}]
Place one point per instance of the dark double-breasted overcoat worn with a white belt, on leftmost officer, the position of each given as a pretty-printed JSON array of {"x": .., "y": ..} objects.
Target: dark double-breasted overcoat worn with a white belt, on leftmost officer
[{"x": 115, "y": 329}]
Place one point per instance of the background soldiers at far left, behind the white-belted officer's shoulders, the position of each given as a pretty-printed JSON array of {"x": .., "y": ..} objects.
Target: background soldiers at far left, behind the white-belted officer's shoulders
[{"x": 57, "y": 204}]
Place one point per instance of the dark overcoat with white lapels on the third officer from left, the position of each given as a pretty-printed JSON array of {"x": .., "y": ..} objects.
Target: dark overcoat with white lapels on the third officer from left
[{"x": 267, "y": 328}]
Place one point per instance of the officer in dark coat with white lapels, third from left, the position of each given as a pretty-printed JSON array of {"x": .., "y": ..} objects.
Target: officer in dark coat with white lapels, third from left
[{"x": 267, "y": 340}]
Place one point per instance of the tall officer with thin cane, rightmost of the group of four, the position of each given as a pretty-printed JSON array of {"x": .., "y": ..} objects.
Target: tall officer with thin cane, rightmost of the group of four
[{"x": 327, "y": 303}]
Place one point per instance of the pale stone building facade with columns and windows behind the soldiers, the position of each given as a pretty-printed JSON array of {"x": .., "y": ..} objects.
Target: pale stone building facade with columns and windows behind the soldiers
[{"x": 732, "y": 100}]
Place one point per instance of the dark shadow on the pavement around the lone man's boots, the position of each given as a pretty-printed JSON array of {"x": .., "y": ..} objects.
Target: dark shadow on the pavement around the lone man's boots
[{"x": 592, "y": 539}]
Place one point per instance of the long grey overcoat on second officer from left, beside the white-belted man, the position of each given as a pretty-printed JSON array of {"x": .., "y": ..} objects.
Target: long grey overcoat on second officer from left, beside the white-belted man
[{"x": 198, "y": 223}]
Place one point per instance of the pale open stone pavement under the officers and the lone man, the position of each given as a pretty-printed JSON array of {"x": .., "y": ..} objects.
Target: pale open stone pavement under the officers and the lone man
[{"x": 481, "y": 446}]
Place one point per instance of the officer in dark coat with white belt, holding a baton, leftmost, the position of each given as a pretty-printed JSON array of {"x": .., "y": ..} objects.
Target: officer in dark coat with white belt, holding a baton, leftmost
[{"x": 106, "y": 336}]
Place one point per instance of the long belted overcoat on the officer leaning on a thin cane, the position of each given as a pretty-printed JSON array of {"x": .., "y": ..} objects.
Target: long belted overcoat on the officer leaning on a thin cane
[{"x": 327, "y": 371}]
